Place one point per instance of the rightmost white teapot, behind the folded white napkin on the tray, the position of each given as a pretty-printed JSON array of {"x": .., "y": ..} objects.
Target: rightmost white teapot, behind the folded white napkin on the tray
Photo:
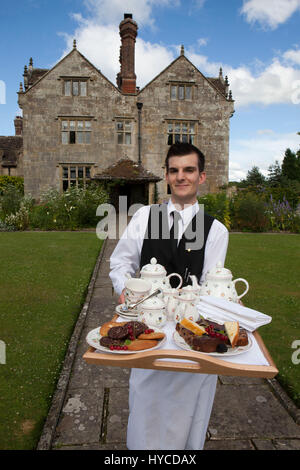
[{"x": 219, "y": 283}]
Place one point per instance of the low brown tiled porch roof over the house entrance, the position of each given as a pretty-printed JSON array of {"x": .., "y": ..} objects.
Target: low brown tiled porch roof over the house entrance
[{"x": 126, "y": 170}]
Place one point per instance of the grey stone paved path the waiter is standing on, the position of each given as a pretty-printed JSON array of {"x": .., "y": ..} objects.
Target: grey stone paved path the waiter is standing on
[{"x": 90, "y": 408}]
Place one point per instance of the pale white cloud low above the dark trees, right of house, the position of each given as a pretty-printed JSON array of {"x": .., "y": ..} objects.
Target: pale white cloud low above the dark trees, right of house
[{"x": 260, "y": 151}]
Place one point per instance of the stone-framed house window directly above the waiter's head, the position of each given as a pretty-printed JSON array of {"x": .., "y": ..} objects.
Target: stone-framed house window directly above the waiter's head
[{"x": 181, "y": 127}]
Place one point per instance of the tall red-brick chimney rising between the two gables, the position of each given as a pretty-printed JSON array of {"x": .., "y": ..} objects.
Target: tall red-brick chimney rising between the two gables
[{"x": 126, "y": 78}]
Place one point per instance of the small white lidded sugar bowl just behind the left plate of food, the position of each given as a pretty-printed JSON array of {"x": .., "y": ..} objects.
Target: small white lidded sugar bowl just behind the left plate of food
[{"x": 152, "y": 312}]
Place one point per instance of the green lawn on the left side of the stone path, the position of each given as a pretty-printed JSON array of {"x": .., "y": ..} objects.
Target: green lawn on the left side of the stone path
[{"x": 43, "y": 279}]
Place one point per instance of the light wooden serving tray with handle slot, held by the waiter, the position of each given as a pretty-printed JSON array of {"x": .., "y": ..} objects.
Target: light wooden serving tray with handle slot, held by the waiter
[{"x": 202, "y": 364}]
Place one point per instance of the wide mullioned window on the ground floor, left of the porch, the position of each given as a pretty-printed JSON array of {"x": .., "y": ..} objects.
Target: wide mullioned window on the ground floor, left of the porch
[{"x": 75, "y": 174}]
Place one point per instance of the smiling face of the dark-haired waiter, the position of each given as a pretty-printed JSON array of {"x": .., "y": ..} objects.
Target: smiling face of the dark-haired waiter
[{"x": 184, "y": 178}]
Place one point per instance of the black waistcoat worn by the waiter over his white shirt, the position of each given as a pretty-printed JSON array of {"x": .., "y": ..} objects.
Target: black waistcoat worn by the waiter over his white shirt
[{"x": 188, "y": 258}]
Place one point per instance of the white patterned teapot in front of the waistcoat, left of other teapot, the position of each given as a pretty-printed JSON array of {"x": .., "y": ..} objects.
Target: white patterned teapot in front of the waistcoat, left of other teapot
[{"x": 157, "y": 275}]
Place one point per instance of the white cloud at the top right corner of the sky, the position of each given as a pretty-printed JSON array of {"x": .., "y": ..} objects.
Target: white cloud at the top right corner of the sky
[{"x": 269, "y": 13}]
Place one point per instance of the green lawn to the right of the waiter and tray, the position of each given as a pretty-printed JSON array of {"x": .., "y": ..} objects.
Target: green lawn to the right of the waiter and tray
[{"x": 270, "y": 263}]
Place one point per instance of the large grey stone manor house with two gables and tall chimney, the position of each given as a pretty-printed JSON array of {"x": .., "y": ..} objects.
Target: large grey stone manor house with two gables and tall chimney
[{"x": 78, "y": 126}]
